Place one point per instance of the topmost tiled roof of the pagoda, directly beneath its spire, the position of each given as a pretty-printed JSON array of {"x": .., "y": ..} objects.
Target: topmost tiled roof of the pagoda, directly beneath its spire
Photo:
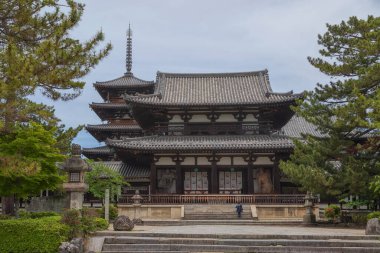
[{"x": 125, "y": 81}]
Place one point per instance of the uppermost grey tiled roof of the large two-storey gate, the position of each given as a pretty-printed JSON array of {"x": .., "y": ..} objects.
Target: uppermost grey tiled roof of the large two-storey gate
[{"x": 247, "y": 88}]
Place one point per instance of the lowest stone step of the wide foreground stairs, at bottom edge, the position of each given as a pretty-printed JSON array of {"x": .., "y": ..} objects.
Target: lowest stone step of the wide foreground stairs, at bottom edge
[{"x": 232, "y": 248}]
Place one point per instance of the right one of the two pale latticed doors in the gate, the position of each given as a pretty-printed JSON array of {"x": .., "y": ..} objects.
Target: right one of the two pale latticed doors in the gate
[{"x": 230, "y": 182}]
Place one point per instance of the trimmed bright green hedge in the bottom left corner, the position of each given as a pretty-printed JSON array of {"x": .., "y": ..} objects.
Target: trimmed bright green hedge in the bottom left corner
[{"x": 32, "y": 235}]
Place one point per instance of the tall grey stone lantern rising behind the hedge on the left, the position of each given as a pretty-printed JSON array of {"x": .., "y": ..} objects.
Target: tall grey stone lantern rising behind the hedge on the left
[{"x": 75, "y": 167}]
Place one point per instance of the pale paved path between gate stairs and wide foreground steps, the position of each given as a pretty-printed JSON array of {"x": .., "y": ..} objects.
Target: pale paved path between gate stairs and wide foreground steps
[{"x": 256, "y": 229}]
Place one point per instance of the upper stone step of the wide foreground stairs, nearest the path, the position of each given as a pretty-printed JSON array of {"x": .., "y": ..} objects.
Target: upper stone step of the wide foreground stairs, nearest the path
[{"x": 241, "y": 242}]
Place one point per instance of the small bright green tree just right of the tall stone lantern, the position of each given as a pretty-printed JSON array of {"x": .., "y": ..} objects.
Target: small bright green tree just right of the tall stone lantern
[{"x": 101, "y": 178}]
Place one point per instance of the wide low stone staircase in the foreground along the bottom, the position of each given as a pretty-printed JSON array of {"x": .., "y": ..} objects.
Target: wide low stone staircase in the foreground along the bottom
[{"x": 161, "y": 243}]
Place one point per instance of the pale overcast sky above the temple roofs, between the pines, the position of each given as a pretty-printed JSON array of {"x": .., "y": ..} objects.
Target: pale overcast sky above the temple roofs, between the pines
[{"x": 208, "y": 36}]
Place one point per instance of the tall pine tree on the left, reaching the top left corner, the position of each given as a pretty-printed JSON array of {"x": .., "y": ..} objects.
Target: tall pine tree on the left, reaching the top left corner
[{"x": 37, "y": 54}]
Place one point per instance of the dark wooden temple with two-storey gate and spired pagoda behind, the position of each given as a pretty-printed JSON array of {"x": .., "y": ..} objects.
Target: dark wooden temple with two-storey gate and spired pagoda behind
[{"x": 214, "y": 133}]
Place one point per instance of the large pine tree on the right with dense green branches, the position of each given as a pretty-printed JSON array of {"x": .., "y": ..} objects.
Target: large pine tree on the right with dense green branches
[{"x": 346, "y": 111}]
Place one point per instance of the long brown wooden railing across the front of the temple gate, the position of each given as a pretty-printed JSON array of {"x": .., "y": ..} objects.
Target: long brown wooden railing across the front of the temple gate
[{"x": 266, "y": 199}]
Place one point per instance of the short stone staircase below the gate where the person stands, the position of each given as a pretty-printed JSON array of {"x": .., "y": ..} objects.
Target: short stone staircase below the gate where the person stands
[{"x": 216, "y": 212}]
